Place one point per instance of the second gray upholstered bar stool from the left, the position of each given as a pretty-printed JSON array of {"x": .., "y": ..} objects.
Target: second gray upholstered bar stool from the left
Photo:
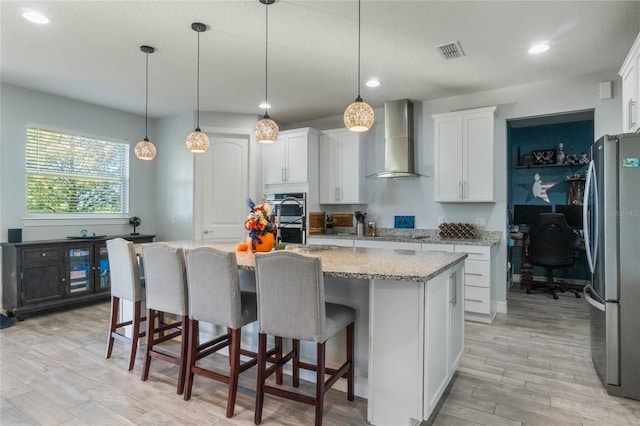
[{"x": 166, "y": 286}]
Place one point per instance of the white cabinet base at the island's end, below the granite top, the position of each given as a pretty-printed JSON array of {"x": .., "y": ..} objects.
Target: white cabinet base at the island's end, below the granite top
[{"x": 424, "y": 366}]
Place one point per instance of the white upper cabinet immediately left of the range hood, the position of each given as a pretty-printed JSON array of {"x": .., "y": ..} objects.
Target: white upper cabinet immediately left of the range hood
[{"x": 341, "y": 167}]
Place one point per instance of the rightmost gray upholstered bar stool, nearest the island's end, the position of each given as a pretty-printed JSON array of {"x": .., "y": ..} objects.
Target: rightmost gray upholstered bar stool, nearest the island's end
[{"x": 291, "y": 304}]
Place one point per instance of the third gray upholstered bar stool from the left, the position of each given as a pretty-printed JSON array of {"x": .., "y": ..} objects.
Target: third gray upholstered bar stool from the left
[{"x": 215, "y": 298}]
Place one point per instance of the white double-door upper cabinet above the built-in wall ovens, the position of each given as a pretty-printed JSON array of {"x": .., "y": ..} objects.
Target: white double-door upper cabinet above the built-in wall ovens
[{"x": 287, "y": 159}]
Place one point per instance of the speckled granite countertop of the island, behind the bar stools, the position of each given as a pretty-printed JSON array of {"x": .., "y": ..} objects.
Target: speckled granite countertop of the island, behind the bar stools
[{"x": 362, "y": 263}]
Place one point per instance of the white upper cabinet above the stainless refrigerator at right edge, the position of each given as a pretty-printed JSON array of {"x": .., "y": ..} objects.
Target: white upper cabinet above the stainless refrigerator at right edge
[{"x": 631, "y": 88}]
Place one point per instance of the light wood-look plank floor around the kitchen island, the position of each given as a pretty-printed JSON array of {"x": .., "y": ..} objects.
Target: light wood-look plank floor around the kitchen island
[{"x": 530, "y": 367}]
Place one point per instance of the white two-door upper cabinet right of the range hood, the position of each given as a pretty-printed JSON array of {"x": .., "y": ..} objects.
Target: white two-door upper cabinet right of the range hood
[{"x": 464, "y": 155}]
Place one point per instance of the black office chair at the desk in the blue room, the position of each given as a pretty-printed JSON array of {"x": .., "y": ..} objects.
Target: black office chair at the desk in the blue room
[{"x": 551, "y": 245}]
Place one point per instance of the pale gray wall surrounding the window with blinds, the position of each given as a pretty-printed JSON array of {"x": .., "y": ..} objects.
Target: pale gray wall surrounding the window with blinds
[{"x": 20, "y": 107}]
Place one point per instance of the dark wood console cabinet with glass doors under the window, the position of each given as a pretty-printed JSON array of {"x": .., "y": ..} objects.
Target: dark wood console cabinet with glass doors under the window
[{"x": 41, "y": 275}]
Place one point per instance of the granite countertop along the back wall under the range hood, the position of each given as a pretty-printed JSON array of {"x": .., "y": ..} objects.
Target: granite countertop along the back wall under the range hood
[{"x": 429, "y": 236}]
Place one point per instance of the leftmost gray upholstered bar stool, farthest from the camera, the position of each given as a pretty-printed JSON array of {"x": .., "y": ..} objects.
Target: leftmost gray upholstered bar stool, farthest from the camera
[{"x": 125, "y": 285}]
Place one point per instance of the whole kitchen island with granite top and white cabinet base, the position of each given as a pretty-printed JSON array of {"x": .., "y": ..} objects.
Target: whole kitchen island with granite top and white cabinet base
[{"x": 409, "y": 326}]
